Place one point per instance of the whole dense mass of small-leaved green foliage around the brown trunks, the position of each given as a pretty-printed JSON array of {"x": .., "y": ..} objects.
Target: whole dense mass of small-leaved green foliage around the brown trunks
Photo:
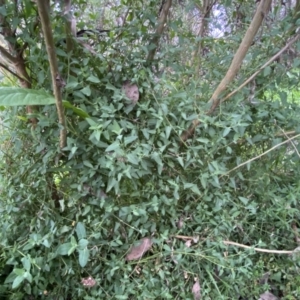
[{"x": 124, "y": 174}]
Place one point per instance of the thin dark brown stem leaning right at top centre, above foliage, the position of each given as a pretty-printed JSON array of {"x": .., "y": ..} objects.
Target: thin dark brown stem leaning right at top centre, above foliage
[{"x": 159, "y": 30}]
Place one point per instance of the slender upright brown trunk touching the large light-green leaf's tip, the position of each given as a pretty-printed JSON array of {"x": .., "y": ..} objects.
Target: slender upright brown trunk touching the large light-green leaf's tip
[{"x": 56, "y": 80}]
